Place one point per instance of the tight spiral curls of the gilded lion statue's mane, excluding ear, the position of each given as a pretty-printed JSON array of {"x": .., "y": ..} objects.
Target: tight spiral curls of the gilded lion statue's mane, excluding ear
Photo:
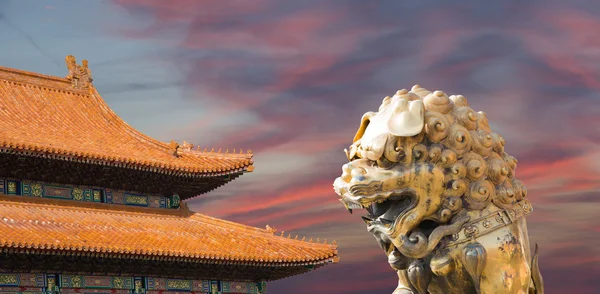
[{"x": 457, "y": 139}]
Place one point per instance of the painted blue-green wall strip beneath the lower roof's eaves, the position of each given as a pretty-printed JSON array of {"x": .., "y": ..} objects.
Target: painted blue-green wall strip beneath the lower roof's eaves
[{"x": 65, "y": 283}]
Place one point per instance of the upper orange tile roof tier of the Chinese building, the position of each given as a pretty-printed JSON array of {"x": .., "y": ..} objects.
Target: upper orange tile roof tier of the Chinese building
[{"x": 46, "y": 115}]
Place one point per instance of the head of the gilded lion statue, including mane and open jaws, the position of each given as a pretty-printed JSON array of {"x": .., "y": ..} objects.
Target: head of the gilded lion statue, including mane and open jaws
[{"x": 418, "y": 165}]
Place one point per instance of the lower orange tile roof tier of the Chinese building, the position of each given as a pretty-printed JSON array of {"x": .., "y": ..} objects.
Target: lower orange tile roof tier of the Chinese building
[{"x": 54, "y": 225}]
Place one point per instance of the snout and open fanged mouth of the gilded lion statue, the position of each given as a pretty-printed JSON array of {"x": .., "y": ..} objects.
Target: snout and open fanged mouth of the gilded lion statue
[{"x": 404, "y": 206}]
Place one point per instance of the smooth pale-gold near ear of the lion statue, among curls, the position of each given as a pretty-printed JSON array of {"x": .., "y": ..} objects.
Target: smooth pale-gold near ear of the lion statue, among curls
[{"x": 407, "y": 119}]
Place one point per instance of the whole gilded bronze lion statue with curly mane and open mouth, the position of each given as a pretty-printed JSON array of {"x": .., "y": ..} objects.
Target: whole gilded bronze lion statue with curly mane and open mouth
[{"x": 441, "y": 197}]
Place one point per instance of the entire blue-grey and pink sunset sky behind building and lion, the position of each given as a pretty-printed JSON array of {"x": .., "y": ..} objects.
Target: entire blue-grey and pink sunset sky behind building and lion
[{"x": 291, "y": 79}]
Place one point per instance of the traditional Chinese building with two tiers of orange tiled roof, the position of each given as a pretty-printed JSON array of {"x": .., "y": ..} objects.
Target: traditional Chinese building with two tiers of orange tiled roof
[{"x": 90, "y": 205}]
